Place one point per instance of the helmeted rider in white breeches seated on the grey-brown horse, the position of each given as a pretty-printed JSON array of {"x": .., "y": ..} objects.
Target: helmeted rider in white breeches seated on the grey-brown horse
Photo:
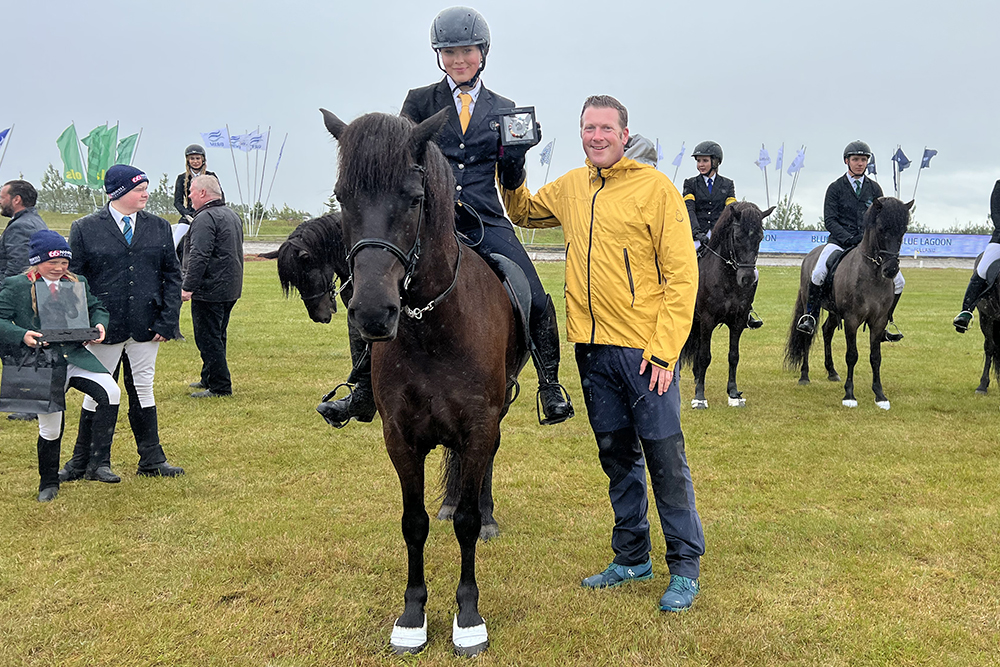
[{"x": 847, "y": 199}]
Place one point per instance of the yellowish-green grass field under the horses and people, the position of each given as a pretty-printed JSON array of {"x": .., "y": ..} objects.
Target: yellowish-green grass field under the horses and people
[{"x": 834, "y": 536}]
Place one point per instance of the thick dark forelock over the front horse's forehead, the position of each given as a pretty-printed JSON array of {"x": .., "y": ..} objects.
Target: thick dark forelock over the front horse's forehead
[{"x": 374, "y": 153}]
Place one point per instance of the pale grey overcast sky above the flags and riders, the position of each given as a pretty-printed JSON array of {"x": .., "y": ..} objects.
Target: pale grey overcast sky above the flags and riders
[{"x": 914, "y": 73}]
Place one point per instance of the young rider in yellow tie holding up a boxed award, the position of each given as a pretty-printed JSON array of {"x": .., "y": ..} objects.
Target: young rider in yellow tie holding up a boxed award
[{"x": 460, "y": 39}]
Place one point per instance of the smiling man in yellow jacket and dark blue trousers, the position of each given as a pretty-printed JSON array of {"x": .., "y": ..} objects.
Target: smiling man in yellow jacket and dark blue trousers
[{"x": 631, "y": 284}]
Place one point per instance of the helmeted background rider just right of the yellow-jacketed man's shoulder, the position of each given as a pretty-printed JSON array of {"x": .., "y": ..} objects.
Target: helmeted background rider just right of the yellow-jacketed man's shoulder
[{"x": 706, "y": 196}]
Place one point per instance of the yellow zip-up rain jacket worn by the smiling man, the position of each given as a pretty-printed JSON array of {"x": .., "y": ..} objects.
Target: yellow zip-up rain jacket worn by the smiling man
[{"x": 631, "y": 268}]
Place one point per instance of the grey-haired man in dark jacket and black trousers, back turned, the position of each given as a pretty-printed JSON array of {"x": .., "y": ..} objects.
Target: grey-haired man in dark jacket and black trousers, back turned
[{"x": 213, "y": 281}]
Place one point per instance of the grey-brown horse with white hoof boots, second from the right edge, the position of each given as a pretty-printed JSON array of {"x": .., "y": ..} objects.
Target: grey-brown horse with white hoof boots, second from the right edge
[{"x": 860, "y": 291}]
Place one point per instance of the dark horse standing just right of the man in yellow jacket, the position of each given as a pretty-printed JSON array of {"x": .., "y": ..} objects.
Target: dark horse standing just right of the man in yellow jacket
[{"x": 726, "y": 288}]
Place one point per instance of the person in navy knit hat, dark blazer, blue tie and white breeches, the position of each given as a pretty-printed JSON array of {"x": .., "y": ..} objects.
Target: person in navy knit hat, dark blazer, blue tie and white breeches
[{"x": 128, "y": 257}]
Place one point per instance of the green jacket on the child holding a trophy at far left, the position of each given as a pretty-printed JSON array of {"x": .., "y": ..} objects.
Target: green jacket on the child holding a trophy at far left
[{"x": 17, "y": 317}]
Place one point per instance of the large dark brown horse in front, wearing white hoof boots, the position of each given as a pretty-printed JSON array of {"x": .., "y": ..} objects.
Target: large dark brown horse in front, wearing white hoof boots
[{"x": 445, "y": 344}]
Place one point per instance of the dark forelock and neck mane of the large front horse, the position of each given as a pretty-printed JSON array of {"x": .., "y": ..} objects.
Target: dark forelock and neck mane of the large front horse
[{"x": 376, "y": 154}]
